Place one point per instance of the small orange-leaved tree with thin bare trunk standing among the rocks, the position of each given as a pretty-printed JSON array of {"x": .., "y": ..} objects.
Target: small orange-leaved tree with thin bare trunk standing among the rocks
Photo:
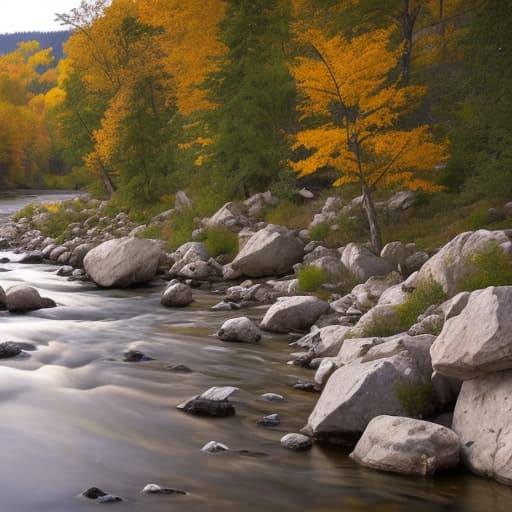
[{"x": 346, "y": 84}]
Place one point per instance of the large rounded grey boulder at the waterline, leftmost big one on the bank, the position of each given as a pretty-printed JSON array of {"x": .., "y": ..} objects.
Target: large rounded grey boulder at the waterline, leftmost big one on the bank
[{"x": 123, "y": 262}]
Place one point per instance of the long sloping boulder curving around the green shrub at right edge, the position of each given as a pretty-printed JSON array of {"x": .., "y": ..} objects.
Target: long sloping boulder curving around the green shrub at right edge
[{"x": 453, "y": 263}]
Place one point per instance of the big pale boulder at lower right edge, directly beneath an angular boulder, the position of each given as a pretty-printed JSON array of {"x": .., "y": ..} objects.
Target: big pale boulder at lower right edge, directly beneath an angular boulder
[{"x": 483, "y": 421}]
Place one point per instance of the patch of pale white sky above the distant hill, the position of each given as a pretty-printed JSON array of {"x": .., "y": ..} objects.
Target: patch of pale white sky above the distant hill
[{"x": 27, "y": 15}]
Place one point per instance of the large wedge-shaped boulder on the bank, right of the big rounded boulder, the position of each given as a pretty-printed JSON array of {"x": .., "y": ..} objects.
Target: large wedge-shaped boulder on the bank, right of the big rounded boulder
[{"x": 271, "y": 251}]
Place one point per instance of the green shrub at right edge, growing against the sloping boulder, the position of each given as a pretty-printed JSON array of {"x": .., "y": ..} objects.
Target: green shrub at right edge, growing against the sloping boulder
[{"x": 492, "y": 268}]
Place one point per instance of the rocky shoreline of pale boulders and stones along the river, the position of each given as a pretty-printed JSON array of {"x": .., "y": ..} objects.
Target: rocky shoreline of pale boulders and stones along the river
[{"x": 413, "y": 398}]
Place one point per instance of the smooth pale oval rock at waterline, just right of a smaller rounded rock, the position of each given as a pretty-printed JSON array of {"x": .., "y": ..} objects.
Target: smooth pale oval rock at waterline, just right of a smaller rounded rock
[{"x": 294, "y": 314}]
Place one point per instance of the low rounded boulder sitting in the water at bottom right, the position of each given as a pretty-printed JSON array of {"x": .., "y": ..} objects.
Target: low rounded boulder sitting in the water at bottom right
[{"x": 407, "y": 446}]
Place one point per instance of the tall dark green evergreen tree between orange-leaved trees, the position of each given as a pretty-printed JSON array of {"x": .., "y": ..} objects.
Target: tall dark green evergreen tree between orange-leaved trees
[{"x": 255, "y": 96}]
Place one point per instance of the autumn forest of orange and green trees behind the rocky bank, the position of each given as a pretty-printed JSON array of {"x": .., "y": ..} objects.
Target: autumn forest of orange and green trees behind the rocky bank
[{"x": 226, "y": 98}]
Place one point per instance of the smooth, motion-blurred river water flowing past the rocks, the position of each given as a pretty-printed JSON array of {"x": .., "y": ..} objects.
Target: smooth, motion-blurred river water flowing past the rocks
[{"x": 74, "y": 415}]
